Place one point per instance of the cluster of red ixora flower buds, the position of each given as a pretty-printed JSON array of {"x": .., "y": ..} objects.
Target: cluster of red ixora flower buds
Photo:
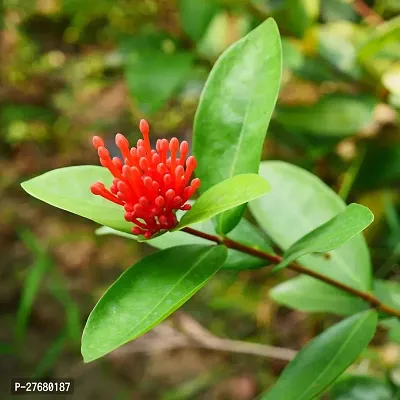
[{"x": 150, "y": 186}]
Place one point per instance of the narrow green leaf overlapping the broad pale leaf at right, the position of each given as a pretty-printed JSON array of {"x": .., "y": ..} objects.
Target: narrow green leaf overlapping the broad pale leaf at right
[{"x": 331, "y": 235}]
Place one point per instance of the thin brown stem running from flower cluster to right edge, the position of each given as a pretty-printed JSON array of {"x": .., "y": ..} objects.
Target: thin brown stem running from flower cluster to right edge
[{"x": 275, "y": 259}]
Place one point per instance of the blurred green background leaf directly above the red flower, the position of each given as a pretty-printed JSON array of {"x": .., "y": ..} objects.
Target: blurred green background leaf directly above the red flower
[{"x": 154, "y": 71}]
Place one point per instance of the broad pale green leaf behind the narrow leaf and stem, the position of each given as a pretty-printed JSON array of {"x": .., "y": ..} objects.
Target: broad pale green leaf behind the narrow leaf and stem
[{"x": 300, "y": 202}]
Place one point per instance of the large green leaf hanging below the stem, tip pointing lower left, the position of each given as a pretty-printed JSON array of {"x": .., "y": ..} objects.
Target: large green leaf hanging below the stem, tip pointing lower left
[{"x": 146, "y": 294}]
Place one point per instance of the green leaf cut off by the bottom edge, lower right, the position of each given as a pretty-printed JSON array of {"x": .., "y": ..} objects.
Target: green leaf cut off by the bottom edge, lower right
[{"x": 323, "y": 359}]
